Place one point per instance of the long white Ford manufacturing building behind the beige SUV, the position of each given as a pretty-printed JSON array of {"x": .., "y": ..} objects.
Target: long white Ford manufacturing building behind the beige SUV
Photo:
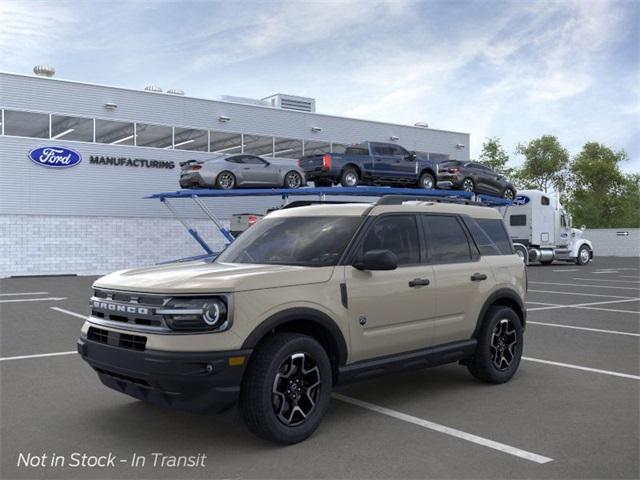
[{"x": 92, "y": 218}]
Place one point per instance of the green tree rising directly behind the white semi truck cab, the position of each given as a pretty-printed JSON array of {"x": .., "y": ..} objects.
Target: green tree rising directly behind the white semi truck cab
[{"x": 545, "y": 164}]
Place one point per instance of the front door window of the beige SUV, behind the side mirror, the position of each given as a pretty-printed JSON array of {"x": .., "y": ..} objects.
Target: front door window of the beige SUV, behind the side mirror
[{"x": 398, "y": 233}]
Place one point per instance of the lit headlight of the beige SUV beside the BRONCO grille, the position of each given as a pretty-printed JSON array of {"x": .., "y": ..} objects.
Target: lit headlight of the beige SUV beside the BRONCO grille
[{"x": 197, "y": 314}]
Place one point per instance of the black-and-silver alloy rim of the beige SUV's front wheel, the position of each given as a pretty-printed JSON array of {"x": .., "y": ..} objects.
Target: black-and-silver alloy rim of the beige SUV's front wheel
[{"x": 296, "y": 389}]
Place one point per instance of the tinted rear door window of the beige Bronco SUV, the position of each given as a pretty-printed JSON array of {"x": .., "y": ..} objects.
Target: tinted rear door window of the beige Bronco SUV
[{"x": 447, "y": 239}]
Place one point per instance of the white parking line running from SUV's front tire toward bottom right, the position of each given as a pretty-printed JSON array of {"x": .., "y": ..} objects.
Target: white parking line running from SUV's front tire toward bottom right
[{"x": 532, "y": 457}]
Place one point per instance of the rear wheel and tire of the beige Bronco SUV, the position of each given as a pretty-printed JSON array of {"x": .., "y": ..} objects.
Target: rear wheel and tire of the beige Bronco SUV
[{"x": 500, "y": 342}]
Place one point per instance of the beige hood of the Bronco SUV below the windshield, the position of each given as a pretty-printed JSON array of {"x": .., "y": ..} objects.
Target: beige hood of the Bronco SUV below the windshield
[{"x": 207, "y": 277}]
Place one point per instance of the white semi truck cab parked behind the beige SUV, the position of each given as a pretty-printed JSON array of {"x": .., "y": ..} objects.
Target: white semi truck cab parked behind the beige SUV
[{"x": 541, "y": 230}]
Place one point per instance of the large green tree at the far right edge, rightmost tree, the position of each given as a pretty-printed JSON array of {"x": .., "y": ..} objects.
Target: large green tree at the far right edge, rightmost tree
[{"x": 600, "y": 195}]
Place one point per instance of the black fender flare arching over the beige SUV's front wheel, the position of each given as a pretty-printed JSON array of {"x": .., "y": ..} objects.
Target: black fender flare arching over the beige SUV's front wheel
[{"x": 305, "y": 314}]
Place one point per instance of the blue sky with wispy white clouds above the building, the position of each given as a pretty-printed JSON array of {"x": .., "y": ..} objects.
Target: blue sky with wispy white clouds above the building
[{"x": 514, "y": 70}]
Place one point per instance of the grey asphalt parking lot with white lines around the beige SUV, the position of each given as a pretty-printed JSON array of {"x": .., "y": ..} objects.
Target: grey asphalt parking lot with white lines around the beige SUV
[{"x": 572, "y": 411}]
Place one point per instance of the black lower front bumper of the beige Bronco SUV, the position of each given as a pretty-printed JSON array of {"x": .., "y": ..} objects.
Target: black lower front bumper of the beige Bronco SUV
[{"x": 193, "y": 381}]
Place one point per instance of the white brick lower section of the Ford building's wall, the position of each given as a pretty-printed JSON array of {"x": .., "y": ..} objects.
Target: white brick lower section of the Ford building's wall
[{"x": 42, "y": 245}]
